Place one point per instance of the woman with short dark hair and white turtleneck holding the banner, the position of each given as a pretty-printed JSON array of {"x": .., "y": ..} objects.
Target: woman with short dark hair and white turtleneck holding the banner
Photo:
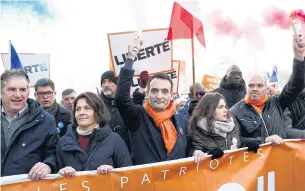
[{"x": 89, "y": 143}]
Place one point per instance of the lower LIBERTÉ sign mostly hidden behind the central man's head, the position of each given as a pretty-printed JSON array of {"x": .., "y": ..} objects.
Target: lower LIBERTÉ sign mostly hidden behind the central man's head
[{"x": 174, "y": 75}]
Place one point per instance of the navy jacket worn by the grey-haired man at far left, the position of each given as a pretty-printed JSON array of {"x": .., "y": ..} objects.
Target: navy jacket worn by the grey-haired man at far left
[{"x": 35, "y": 141}]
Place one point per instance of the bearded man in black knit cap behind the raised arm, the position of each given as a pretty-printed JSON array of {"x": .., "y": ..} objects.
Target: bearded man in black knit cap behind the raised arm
[{"x": 116, "y": 123}]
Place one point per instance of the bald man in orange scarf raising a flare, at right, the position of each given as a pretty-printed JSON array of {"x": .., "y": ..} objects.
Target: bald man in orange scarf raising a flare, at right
[{"x": 261, "y": 117}]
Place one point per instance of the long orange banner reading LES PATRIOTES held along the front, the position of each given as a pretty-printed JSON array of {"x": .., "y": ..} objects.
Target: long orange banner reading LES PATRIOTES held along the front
[{"x": 272, "y": 168}]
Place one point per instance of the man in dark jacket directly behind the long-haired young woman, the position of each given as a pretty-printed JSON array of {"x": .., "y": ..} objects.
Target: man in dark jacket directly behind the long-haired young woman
[{"x": 232, "y": 86}]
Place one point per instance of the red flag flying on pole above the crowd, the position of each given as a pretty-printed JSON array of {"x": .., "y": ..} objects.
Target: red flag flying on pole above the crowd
[{"x": 183, "y": 25}]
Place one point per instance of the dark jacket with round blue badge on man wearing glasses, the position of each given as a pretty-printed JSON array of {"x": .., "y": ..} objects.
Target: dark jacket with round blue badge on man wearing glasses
[{"x": 62, "y": 116}]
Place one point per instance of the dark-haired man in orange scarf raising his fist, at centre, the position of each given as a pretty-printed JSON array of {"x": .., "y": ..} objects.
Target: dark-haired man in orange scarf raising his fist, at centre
[{"x": 157, "y": 133}]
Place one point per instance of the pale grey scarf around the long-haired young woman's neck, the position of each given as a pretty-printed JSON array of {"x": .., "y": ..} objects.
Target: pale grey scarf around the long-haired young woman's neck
[{"x": 221, "y": 128}]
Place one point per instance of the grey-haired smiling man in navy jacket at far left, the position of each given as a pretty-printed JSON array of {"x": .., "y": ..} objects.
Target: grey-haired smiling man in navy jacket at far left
[{"x": 28, "y": 133}]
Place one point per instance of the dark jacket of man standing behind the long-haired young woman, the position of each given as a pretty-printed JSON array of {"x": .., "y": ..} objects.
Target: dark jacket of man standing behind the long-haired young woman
[{"x": 232, "y": 93}]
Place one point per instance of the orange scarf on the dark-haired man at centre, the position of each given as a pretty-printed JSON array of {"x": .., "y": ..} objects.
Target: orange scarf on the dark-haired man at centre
[{"x": 162, "y": 120}]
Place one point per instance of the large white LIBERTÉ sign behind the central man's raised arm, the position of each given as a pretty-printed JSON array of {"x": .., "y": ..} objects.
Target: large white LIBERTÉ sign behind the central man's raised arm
[{"x": 155, "y": 54}]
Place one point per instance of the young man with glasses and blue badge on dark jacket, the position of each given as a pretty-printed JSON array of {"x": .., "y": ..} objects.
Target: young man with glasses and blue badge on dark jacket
[{"x": 45, "y": 94}]
